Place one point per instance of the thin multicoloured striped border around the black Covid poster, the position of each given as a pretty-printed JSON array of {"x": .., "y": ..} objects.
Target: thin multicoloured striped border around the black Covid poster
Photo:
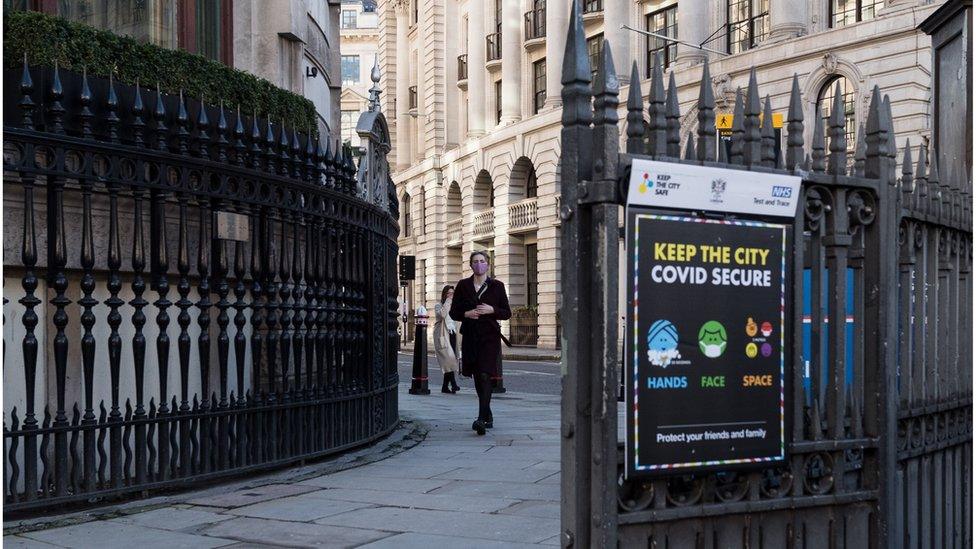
[{"x": 633, "y": 423}]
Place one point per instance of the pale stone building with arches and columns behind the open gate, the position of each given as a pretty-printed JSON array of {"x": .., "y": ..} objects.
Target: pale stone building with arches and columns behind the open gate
[{"x": 477, "y": 108}]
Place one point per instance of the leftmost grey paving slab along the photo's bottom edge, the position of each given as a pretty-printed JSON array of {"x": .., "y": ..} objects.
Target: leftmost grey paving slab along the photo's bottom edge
[{"x": 101, "y": 535}]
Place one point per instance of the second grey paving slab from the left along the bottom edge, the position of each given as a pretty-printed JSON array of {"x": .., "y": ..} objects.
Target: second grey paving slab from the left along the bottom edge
[{"x": 293, "y": 534}]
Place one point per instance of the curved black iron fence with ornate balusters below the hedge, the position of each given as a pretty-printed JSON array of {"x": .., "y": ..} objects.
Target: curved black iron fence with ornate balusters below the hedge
[{"x": 210, "y": 291}]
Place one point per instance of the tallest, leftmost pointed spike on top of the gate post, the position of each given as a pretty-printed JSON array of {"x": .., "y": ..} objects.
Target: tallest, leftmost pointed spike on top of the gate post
[{"x": 576, "y": 74}]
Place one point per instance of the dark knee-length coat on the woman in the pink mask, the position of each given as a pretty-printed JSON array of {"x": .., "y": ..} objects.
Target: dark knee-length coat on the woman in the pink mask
[{"x": 481, "y": 342}]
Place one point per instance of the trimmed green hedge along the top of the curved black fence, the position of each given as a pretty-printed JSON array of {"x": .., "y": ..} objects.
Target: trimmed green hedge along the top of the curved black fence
[{"x": 46, "y": 39}]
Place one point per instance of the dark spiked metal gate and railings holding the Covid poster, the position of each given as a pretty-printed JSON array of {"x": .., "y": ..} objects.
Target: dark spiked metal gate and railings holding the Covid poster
[{"x": 879, "y": 448}]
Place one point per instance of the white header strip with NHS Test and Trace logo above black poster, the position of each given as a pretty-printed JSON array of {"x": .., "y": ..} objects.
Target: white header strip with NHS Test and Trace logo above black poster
[{"x": 689, "y": 187}]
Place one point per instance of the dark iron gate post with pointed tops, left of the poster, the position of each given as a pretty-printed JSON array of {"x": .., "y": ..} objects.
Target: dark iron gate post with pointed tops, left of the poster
[{"x": 589, "y": 274}]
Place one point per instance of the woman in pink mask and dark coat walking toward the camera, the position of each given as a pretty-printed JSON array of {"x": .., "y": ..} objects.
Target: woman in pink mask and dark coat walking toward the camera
[{"x": 479, "y": 303}]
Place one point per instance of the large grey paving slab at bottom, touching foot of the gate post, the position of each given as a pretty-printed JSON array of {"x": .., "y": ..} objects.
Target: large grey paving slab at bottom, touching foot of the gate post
[{"x": 449, "y": 523}]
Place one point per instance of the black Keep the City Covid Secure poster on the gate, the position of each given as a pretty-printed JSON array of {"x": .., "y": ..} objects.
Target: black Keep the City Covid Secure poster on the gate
[{"x": 706, "y": 342}]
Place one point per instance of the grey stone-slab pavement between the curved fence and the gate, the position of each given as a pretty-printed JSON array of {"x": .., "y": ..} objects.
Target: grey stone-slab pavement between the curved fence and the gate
[{"x": 452, "y": 489}]
